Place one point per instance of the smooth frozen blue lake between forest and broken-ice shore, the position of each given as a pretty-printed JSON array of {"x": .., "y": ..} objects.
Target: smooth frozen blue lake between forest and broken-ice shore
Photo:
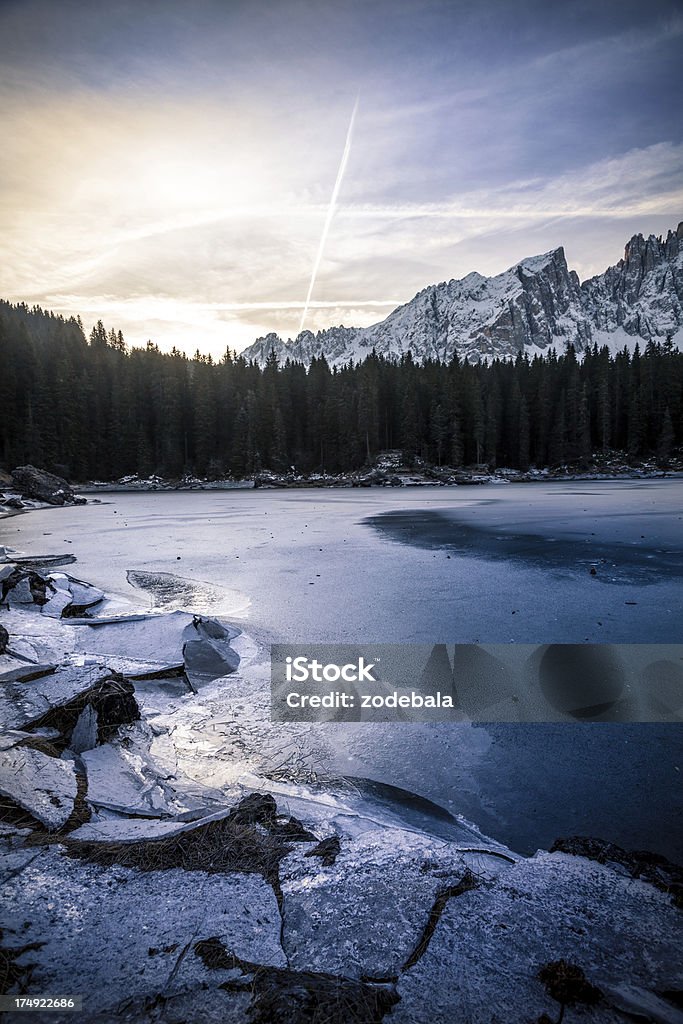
[{"x": 491, "y": 565}]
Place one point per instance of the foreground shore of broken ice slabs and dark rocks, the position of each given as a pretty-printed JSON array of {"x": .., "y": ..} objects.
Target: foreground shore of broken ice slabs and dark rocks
[{"x": 161, "y": 864}]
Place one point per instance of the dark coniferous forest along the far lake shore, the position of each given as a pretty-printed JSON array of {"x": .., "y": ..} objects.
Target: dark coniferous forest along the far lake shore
[{"x": 94, "y": 409}]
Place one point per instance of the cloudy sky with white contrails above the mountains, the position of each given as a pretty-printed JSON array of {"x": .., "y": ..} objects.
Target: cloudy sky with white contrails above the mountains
[{"x": 168, "y": 166}]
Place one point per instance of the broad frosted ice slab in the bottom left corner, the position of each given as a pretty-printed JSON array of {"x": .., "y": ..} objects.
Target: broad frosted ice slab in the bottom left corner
[{"x": 119, "y": 934}]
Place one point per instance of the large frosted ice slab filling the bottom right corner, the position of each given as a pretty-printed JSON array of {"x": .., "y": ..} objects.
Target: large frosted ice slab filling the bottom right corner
[{"x": 544, "y": 909}]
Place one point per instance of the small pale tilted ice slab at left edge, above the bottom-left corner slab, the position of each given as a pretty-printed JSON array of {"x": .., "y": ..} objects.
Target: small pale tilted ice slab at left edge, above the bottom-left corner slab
[{"x": 44, "y": 786}]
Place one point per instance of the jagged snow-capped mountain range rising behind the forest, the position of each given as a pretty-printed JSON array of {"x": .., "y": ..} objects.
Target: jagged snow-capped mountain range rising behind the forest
[{"x": 536, "y": 305}]
